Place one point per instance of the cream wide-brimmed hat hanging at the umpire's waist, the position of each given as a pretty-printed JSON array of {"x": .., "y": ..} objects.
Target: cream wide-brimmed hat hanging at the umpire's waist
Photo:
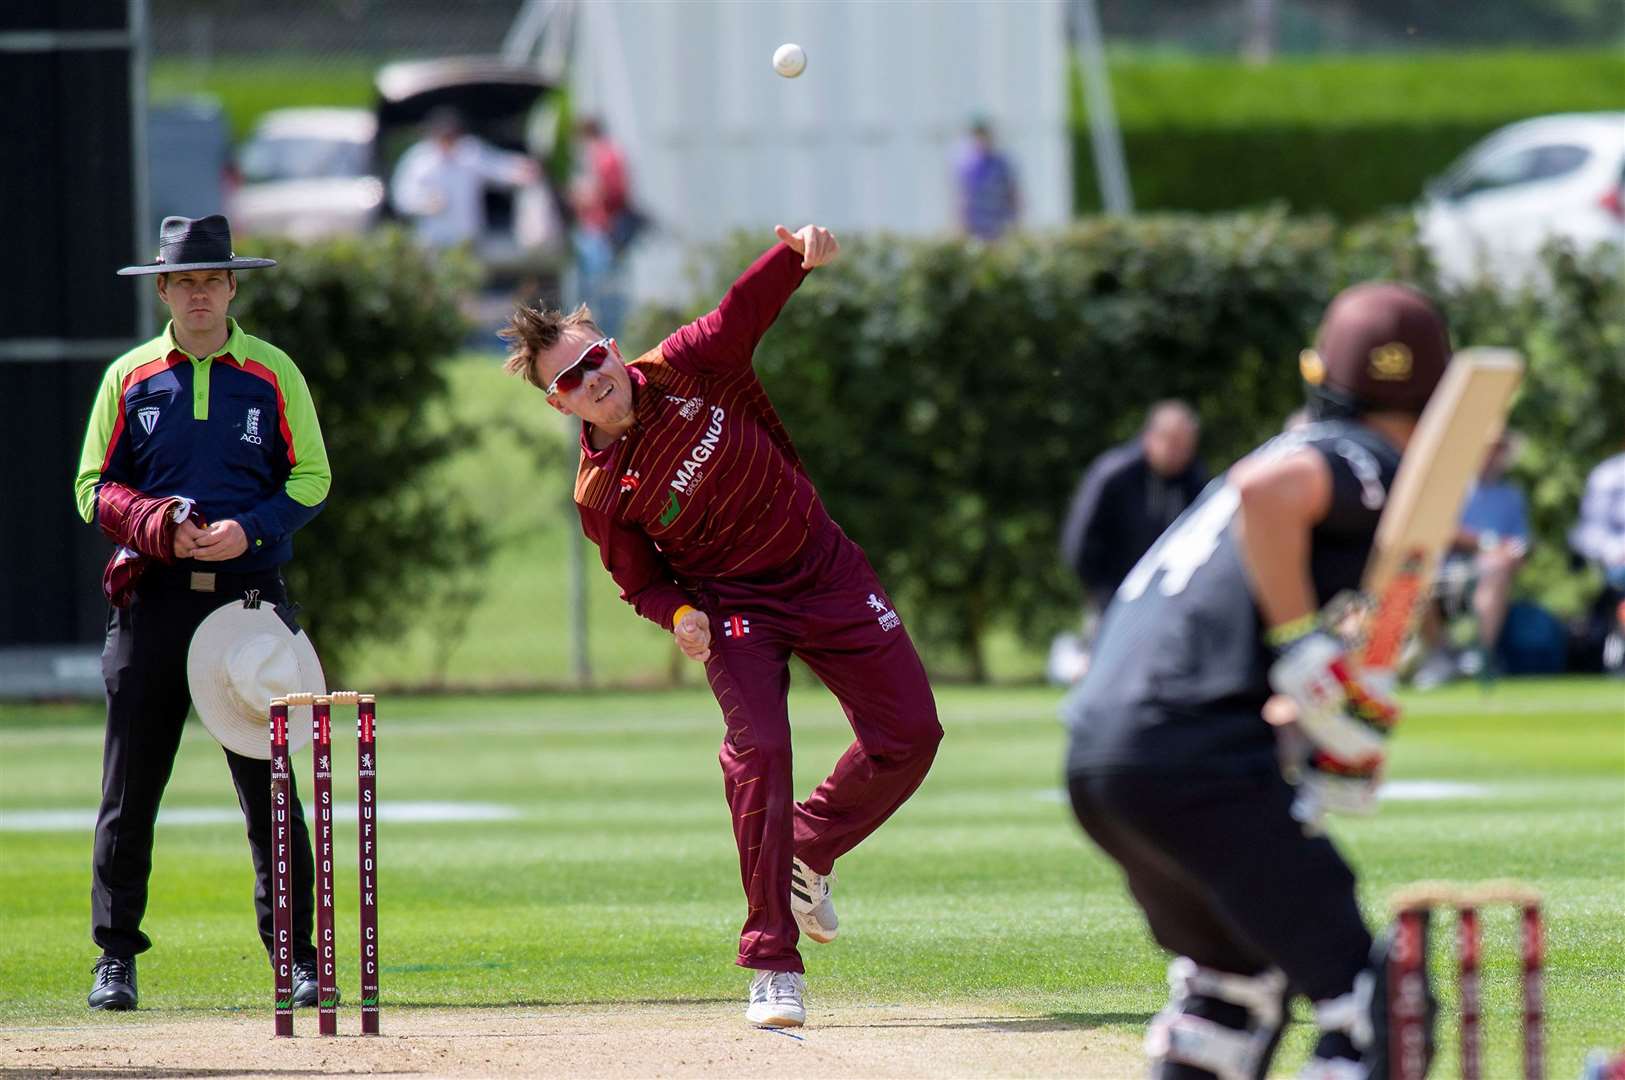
[{"x": 241, "y": 659}]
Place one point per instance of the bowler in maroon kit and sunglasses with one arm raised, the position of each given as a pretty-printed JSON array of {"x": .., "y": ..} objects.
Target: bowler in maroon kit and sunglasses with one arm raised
[{"x": 706, "y": 519}]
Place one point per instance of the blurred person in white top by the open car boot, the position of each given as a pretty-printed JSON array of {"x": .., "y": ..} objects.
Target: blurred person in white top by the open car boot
[{"x": 441, "y": 183}]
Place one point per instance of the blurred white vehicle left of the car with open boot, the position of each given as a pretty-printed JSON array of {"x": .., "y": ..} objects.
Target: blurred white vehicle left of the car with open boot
[{"x": 308, "y": 175}]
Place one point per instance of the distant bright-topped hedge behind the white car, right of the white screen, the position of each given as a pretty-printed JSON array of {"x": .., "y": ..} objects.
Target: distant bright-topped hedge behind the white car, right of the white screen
[{"x": 1345, "y": 136}]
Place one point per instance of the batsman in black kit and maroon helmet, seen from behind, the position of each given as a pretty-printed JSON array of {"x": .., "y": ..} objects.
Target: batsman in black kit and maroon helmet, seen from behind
[{"x": 1172, "y": 767}]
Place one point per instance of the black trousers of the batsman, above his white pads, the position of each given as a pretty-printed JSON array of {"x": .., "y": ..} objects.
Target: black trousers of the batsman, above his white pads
[{"x": 1228, "y": 878}]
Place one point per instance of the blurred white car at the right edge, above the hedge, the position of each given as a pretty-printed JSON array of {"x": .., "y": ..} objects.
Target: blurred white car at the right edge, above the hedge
[{"x": 1559, "y": 176}]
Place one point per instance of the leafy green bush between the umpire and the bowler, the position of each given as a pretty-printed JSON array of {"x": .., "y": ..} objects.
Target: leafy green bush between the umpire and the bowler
[{"x": 370, "y": 322}]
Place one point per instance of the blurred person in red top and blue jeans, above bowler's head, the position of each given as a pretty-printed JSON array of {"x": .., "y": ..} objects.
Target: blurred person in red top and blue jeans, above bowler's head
[{"x": 605, "y": 223}]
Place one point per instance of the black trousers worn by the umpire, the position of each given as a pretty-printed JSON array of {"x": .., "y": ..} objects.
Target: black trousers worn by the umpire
[{"x": 145, "y": 672}]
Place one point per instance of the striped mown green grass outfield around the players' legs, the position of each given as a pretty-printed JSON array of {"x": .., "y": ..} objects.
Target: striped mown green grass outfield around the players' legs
[{"x": 618, "y": 881}]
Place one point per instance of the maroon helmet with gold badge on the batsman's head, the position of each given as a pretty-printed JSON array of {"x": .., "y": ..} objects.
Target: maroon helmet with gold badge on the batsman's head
[{"x": 1382, "y": 347}]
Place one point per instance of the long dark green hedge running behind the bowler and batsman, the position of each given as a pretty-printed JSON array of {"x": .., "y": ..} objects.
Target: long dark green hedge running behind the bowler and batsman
[{"x": 948, "y": 397}]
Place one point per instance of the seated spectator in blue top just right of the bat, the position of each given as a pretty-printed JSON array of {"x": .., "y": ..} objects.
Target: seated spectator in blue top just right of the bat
[{"x": 1478, "y": 572}]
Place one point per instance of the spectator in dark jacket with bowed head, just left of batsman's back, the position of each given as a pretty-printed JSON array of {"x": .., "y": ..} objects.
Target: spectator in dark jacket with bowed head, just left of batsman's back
[{"x": 1130, "y": 496}]
